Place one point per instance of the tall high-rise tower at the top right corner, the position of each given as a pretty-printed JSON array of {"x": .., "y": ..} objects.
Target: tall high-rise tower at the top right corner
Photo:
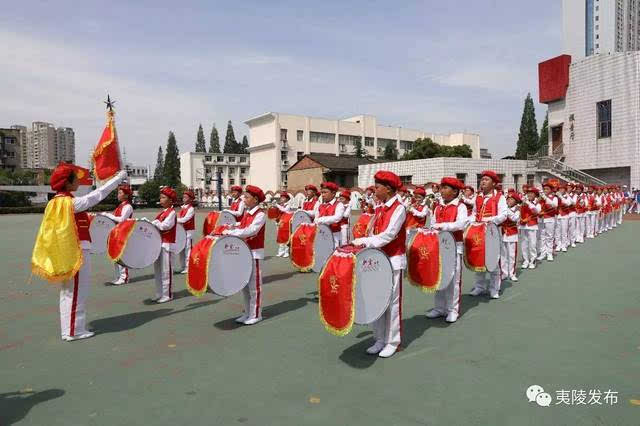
[{"x": 594, "y": 27}]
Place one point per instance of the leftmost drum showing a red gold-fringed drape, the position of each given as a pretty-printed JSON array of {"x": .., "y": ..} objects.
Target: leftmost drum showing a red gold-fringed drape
[{"x": 135, "y": 244}]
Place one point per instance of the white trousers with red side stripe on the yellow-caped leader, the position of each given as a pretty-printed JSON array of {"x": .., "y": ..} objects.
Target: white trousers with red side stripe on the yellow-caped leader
[{"x": 73, "y": 298}]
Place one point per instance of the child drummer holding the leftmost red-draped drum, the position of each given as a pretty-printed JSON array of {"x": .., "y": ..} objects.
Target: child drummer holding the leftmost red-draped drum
[{"x": 166, "y": 223}]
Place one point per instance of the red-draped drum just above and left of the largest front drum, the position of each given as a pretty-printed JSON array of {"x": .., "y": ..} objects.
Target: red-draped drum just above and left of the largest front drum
[{"x": 311, "y": 246}]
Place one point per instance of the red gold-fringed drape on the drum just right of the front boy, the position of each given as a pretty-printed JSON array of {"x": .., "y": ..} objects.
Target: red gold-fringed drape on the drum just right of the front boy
[{"x": 425, "y": 264}]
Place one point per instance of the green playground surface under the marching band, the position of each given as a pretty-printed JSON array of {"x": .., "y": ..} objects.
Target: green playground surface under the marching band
[{"x": 570, "y": 325}]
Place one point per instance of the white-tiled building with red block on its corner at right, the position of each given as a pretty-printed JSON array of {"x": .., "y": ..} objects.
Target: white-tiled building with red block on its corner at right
[{"x": 594, "y": 113}]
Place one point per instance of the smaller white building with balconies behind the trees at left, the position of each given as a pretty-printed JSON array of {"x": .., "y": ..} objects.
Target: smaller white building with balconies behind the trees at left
[{"x": 198, "y": 171}]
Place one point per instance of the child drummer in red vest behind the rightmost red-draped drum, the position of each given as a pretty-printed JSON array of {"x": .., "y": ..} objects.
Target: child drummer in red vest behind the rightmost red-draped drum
[{"x": 491, "y": 206}]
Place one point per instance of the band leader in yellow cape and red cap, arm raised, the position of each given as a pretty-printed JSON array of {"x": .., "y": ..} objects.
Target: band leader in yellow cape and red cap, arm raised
[{"x": 62, "y": 249}]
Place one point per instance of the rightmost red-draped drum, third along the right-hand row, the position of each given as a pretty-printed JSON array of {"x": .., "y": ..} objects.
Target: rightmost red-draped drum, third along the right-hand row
[{"x": 482, "y": 242}]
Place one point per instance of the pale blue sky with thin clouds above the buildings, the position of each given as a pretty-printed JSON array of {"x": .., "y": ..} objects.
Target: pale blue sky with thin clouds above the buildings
[{"x": 442, "y": 67}]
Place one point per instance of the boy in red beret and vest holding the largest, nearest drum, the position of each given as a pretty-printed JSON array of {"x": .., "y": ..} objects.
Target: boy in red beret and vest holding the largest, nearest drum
[{"x": 388, "y": 233}]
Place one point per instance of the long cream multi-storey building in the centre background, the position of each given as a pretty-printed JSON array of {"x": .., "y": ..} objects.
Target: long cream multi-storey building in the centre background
[{"x": 277, "y": 141}]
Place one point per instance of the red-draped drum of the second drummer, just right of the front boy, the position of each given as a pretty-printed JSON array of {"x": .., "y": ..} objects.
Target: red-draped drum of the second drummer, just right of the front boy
[{"x": 431, "y": 257}]
